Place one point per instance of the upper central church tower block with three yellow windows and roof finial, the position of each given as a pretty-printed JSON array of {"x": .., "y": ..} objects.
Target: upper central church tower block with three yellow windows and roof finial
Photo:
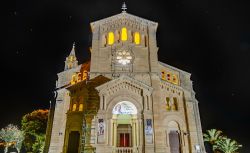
[{"x": 123, "y": 43}]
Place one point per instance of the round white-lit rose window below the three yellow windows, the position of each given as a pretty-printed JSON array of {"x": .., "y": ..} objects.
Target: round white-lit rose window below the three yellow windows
[{"x": 123, "y": 57}]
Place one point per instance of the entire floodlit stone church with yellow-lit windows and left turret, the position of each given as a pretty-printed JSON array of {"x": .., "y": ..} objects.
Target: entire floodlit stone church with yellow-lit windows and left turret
[{"x": 123, "y": 100}]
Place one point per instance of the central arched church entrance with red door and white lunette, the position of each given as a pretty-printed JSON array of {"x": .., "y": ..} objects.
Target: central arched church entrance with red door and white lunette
[{"x": 125, "y": 126}]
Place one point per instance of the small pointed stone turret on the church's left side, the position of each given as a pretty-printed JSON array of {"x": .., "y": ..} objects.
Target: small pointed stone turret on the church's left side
[{"x": 71, "y": 60}]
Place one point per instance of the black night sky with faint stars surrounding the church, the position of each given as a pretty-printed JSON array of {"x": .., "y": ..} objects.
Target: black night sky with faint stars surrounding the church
[{"x": 208, "y": 38}]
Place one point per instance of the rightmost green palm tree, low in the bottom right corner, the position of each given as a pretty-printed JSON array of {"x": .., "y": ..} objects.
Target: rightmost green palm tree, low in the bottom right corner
[{"x": 226, "y": 145}]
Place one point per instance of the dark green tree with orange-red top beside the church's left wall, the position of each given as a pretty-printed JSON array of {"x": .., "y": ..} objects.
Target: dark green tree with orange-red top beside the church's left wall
[{"x": 34, "y": 126}]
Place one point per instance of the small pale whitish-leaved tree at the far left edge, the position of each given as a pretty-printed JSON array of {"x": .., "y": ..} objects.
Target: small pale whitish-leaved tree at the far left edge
[{"x": 12, "y": 136}]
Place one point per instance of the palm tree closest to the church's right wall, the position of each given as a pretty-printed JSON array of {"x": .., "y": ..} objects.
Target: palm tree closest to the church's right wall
[{"x": 212, "y": 136}]
